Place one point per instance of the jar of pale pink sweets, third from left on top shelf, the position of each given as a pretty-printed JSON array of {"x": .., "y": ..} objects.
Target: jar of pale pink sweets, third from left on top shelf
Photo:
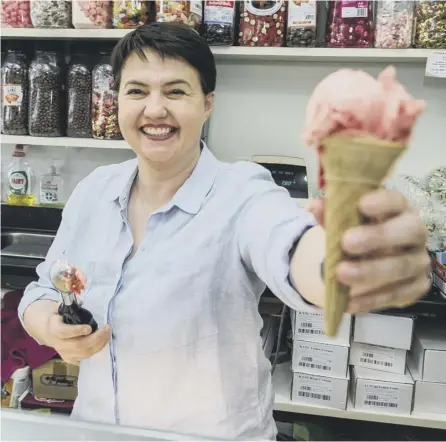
[{"x": 91, "y": 14}]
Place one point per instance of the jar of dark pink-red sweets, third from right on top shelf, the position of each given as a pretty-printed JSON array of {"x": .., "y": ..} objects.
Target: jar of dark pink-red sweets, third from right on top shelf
[{"x": 350, "y": 24}]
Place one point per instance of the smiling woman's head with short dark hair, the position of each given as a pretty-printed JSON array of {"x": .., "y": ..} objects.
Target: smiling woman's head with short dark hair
[{"x": 166, "y": 92}]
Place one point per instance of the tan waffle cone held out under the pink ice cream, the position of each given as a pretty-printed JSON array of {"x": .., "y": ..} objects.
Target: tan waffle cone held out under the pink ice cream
[{"x": 352, "y": 167}]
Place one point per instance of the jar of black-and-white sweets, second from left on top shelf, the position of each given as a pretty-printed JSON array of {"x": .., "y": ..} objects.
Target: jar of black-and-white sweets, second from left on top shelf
[{"x": 51, "y": 14}]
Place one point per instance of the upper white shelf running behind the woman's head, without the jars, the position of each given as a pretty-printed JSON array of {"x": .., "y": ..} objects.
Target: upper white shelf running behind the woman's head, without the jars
[{"x": 239, "y": 52}]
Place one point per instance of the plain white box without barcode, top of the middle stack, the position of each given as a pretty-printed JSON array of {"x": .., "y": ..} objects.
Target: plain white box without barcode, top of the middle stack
[{"x": 384, "y": 330}]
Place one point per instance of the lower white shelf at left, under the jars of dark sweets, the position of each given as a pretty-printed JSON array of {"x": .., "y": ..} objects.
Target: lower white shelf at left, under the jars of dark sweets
[{"x": 64, "y": 142}]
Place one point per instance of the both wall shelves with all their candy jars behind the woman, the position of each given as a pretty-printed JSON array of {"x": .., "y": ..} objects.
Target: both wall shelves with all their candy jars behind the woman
[{"x": 79, "y": 104}]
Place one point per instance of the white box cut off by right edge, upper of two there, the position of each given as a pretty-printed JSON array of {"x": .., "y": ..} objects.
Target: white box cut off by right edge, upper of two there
[{"x": 429, "y": 353}]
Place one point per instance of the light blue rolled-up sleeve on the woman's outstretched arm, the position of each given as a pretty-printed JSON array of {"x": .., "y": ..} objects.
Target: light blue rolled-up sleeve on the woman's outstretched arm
[{"x": 269, "y": 227}]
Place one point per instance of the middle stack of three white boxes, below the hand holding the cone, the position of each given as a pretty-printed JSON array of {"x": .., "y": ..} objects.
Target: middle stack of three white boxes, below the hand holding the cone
[{"x": 380, "y": 380}]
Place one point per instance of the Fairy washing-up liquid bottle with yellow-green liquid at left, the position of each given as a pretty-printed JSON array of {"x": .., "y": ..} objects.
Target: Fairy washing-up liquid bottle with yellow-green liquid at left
[{"x": 20, "y": 177}]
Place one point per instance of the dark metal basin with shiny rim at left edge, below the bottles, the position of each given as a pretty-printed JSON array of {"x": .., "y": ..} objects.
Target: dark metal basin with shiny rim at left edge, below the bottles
[{"x": 25, "y": 245}]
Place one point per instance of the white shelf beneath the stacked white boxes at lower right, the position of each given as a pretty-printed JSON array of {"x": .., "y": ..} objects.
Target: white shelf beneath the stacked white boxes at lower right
[{"x": 282, "y": 386}]
